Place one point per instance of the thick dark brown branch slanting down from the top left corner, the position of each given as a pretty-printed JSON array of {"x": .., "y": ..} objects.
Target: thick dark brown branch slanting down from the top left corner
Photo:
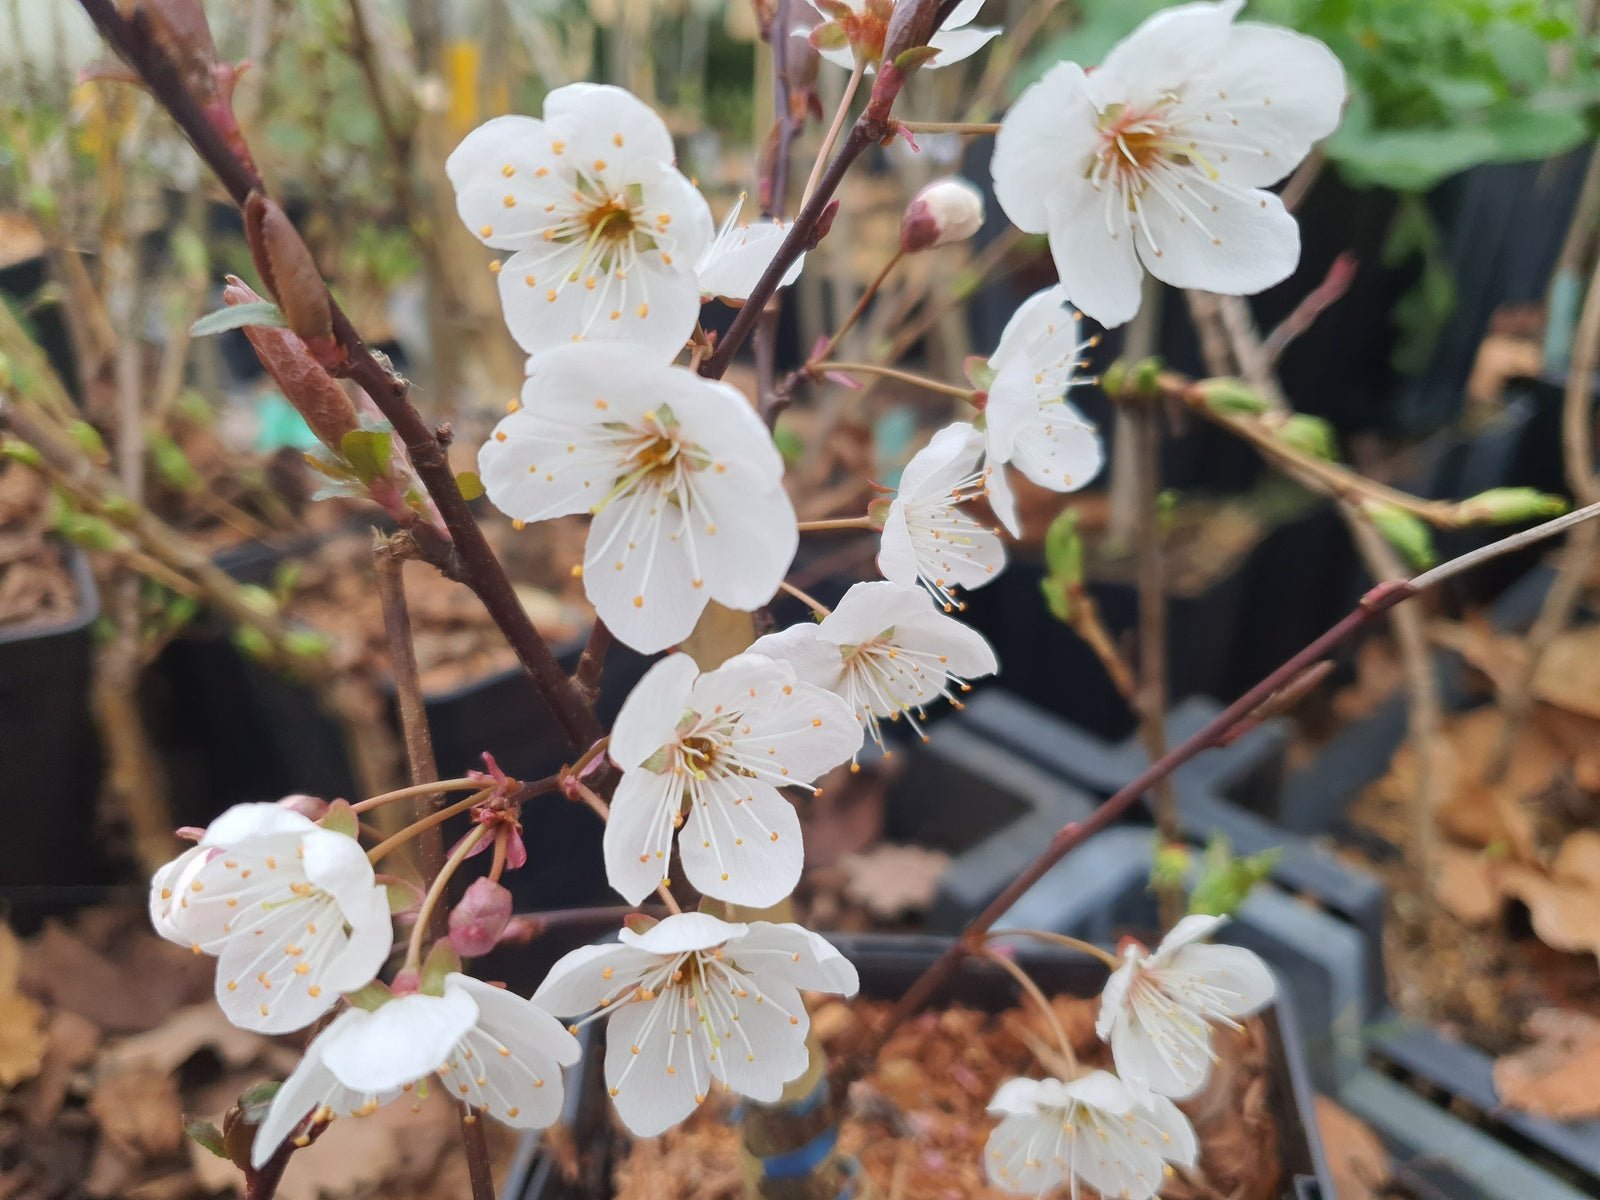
[{"x": 468, "y": 558}]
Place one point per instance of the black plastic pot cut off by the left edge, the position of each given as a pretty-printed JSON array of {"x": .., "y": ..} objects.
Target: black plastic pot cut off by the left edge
[{"x": 50, "y": 759}]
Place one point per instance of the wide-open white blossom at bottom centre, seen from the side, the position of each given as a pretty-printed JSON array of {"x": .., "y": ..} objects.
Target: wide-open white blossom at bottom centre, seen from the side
[{"x": 694, "y": 1002}]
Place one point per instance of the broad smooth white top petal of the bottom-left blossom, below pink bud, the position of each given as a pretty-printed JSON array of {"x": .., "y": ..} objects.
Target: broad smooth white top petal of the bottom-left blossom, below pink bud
[{"x": 402, "y": 1041}]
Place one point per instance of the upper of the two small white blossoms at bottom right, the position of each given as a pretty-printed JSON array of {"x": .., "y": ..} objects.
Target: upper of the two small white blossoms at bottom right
[{"x": 1158, "y": 1009}]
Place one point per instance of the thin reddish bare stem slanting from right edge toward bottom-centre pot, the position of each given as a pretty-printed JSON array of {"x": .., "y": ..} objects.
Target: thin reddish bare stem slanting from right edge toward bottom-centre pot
[{"x": 1217, "y": 732}]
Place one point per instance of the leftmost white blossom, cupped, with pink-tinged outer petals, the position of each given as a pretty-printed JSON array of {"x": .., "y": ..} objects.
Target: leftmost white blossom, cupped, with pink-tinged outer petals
[{"x": 292, "y": 913}]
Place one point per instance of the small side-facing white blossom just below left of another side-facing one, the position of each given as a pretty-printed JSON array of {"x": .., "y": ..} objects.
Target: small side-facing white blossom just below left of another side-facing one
[{"x": 927, "y": 538}]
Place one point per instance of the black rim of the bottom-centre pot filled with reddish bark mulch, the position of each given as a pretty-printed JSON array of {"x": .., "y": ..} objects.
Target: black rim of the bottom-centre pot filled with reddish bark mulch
[{"x": 889, "y": 966}]
